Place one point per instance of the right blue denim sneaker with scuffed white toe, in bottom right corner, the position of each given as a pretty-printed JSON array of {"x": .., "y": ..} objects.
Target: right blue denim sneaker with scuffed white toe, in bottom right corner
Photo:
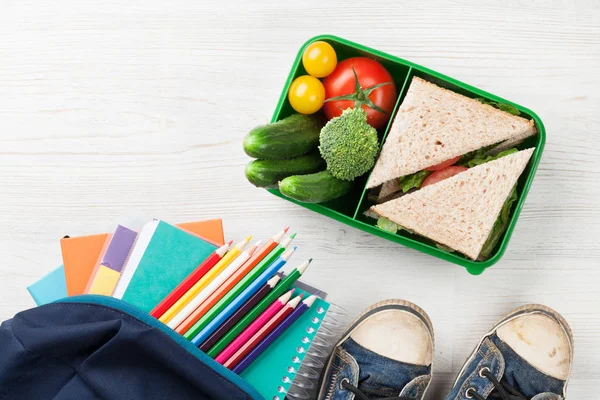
[{"x": 527, "y": 355}]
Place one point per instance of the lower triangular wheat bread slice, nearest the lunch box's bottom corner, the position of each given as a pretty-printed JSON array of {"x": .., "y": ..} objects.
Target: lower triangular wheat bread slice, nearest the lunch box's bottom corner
[{"x": 460, "y": 211}]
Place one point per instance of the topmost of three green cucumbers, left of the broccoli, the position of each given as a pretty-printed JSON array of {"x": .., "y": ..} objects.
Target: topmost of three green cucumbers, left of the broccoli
[{"x": 291, "y": 137}]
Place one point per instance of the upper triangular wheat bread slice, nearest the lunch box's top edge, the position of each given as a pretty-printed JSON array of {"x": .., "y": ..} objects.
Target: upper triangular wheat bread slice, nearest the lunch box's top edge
[{"x": 434, "y": 124}]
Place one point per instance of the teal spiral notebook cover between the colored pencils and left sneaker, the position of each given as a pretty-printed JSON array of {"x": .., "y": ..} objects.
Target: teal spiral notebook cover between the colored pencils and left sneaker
[{"x": 273, "y": 372}]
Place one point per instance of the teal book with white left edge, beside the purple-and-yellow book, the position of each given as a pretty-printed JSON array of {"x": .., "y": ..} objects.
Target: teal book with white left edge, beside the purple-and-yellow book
[{"x": 162, "y": 257}]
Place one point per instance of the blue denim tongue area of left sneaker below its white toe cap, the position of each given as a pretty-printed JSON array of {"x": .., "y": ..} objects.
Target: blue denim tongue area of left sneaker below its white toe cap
[{"x": 382, "y": 373}]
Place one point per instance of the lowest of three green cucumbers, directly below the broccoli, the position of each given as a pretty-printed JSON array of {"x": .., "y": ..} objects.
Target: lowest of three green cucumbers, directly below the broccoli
[{"x": 314, "y": 188}]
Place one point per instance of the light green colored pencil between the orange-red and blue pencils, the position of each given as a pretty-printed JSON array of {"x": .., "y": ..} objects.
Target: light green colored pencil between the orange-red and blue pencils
[{"x": 238, "y": 288}]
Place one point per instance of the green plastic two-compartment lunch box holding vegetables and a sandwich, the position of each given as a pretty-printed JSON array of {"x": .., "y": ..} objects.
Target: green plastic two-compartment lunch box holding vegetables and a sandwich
[{"x": 350, "y": 208}]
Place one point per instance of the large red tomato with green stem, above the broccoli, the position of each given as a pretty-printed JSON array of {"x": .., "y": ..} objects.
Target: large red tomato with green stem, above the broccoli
[{"x": 342, "y": 82}]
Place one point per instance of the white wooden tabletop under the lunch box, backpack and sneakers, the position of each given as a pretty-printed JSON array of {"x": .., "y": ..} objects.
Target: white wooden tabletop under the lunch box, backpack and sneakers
[{"x": 139, "y": 108}]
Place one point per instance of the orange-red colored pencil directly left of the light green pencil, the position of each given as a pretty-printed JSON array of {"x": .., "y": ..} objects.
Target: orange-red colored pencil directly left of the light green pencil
[{"x": 263, "y": 253}]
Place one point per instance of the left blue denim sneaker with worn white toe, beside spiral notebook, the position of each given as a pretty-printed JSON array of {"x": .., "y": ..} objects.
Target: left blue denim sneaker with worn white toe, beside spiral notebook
[{"x": 385, "y": 354}]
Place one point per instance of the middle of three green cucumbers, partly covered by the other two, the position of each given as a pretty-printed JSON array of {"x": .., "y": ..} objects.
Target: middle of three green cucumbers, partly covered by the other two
[{"x": 267, "y": 173}]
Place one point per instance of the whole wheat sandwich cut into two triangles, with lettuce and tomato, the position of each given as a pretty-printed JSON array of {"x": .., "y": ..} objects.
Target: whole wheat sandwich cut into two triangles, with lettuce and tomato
[{"x": 449, "y": 168}]
